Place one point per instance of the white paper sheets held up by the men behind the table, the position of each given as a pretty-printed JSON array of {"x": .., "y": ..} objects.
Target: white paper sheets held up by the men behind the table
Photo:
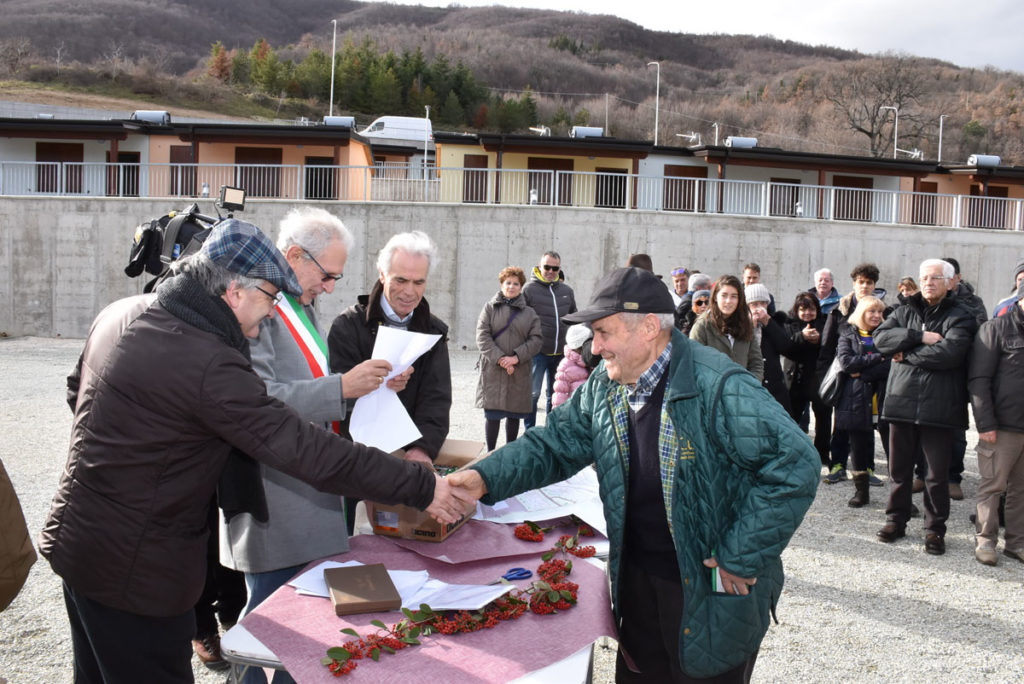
[{"x": 379, "y": 419}]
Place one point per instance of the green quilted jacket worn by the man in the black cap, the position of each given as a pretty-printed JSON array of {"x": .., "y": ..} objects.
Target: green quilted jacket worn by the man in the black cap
[{"x": 745, "y": 477}]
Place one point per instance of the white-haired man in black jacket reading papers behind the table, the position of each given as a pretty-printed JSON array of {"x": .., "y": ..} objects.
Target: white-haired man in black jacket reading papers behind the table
[{"x": 397, "y": 302}]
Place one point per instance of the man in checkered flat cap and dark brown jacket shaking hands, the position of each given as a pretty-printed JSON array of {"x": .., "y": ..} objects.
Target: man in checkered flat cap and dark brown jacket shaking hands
[{"x": 165, "y": 400}]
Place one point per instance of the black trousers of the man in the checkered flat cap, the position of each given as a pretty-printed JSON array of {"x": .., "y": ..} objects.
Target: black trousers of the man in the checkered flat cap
[{"x": 112, "y": 647}]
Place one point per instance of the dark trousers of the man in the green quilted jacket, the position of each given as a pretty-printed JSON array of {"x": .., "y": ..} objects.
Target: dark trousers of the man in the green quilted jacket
[{"x": 652, "y": 610}]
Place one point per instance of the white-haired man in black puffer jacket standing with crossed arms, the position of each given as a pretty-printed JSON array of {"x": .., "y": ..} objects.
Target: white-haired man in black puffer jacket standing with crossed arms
[{"x": 928, "y": 339}]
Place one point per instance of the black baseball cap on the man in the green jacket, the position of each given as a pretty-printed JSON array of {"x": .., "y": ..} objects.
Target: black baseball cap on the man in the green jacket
[{"x": 626, "y": 291}]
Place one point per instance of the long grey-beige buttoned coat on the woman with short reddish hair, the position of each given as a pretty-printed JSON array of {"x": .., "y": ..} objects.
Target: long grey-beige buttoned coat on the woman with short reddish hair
[{"x": 497, "y": 391}]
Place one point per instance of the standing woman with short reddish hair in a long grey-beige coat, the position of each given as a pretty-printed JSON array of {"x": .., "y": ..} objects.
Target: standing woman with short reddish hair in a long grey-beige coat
[{"x": 508, "y": 334}]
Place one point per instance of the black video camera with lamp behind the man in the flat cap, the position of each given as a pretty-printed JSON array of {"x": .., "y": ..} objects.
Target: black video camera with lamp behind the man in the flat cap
[{"x": 163, "y": 241}]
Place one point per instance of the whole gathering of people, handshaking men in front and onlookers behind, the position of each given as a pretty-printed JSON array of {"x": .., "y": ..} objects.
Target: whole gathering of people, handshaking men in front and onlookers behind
[{"x": 693, "y": 400}]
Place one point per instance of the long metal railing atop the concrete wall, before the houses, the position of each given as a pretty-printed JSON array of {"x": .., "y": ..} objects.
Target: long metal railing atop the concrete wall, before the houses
[{"x": 391, "y": 182}]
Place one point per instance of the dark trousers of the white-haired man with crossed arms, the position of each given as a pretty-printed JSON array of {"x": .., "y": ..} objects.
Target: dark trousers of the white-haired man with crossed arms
[{"x": 906, "y": 440}]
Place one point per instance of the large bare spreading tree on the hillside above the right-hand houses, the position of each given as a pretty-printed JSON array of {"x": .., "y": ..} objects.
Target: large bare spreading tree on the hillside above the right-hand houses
[{"x": 863, "y": 89}]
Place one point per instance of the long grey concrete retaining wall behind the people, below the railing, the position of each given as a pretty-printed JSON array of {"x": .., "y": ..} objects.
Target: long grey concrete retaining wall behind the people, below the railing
[{"x": 62, "y": 261}]
